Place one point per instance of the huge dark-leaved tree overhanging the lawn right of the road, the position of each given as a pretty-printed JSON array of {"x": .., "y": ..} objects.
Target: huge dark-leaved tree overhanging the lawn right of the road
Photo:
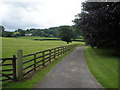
[{"x": 99, "y": 23}]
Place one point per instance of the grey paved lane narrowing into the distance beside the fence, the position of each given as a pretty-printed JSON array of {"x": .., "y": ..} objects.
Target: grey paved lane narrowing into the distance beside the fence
[{"x": 71, "y": 72}]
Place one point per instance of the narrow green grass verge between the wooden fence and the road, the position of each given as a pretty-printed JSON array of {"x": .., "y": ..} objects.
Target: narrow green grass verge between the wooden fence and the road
[{"x": 38, "y": 77}]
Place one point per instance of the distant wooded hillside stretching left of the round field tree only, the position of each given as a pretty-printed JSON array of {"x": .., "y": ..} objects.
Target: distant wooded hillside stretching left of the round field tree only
[{"x": 51, "y": 32}]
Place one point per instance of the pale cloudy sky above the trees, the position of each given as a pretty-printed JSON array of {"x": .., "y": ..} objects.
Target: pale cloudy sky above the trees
[{"x": 24, "y": 14}]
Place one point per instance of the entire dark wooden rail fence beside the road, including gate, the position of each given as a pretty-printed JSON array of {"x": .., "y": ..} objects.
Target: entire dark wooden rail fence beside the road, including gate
[{"x": 28, "y": 63}]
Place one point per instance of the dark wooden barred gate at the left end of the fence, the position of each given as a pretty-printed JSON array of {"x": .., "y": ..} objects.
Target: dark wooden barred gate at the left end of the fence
[{"x": 8, "y": 68}]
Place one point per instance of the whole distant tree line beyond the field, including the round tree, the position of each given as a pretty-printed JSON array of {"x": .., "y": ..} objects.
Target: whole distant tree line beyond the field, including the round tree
[{"x": 65, "y": 32}]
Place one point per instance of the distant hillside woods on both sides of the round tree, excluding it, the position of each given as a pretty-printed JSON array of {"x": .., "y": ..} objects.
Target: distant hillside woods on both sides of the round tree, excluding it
[{"x": 50, "y": 32}]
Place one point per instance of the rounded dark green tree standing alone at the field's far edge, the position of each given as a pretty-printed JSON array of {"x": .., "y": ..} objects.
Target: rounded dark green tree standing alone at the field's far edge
[{"x": 66, "y": 33}]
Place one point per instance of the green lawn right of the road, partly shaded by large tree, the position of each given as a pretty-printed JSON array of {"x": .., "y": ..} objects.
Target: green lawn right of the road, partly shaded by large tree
[{"x": 104, "y": 66}]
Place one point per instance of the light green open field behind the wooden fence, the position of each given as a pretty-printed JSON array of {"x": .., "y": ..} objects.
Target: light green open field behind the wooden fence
[{"x": 11, "y": 45}]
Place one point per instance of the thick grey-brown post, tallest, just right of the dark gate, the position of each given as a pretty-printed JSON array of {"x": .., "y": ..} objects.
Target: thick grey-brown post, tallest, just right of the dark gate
[{"x": 20, "y": 65}]
